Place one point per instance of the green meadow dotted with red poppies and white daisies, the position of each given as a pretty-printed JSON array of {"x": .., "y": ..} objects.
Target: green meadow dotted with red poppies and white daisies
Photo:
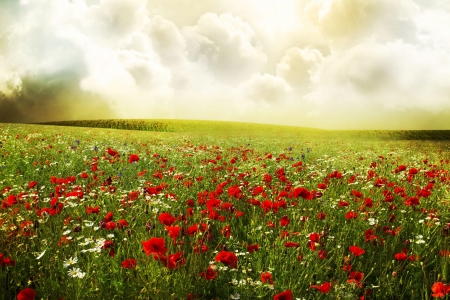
[{"x": 213, "y": 210}]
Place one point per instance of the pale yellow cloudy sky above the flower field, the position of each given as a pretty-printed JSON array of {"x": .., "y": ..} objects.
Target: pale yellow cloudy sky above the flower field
[{"x": 330, "y": 64}]
